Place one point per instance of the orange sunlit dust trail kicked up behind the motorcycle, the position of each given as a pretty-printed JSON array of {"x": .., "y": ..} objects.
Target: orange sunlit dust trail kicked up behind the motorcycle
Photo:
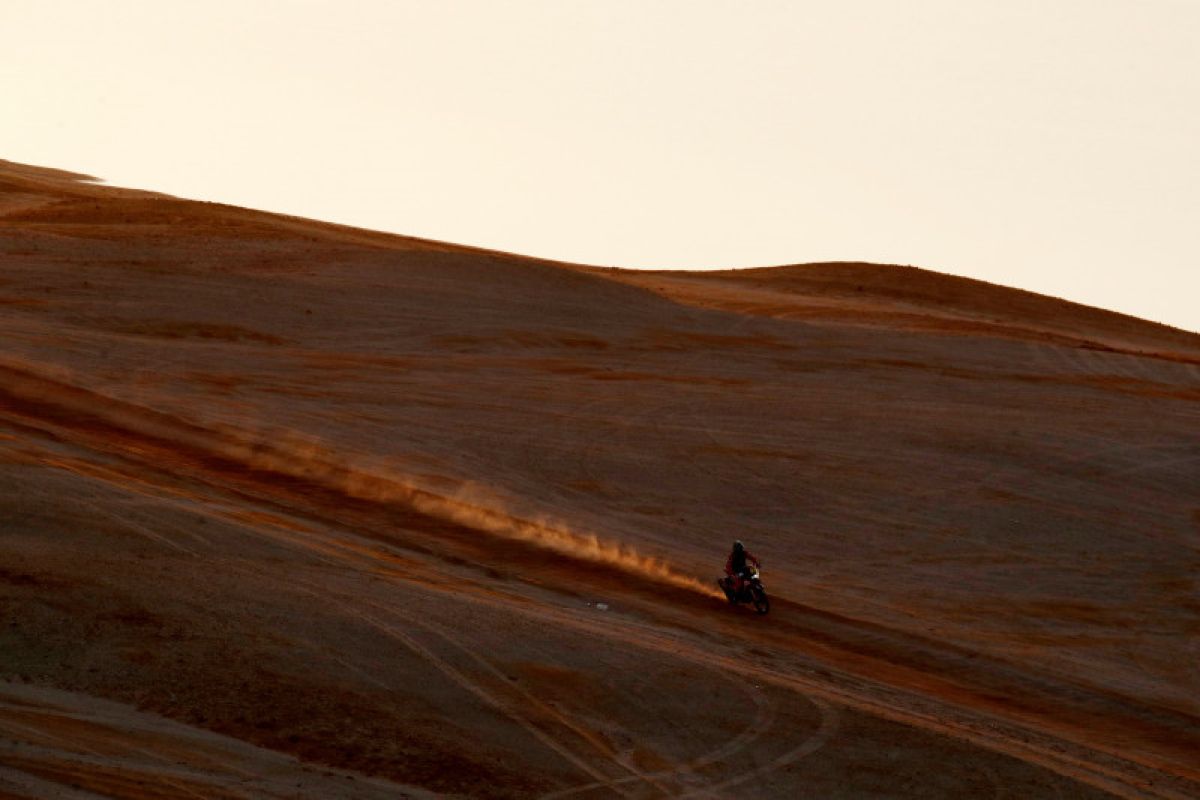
[{"x": 33, "y": 392}]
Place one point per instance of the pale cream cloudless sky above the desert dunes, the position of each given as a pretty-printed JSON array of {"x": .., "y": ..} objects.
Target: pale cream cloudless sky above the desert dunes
[{"x": 1052, "y": 146}]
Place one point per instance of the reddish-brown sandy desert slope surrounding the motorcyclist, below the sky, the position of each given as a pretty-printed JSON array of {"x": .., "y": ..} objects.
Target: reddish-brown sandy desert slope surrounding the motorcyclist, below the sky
[{"x": 297, "y": 510}]
